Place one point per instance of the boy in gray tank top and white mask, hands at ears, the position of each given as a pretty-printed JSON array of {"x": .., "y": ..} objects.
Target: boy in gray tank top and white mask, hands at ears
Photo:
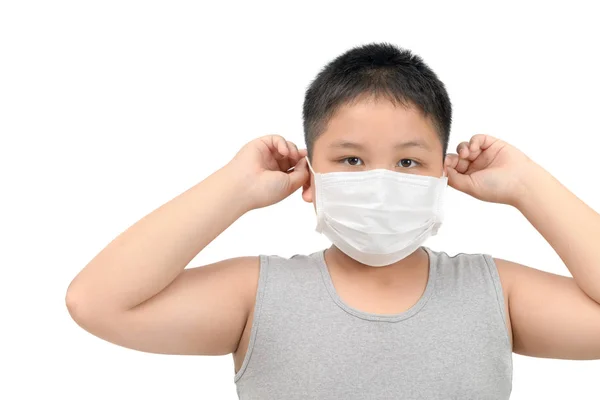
[{"x": 377, "y": 315}]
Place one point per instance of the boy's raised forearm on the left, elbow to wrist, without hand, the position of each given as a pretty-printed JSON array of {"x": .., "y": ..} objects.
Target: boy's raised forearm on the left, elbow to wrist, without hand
[{"x": 149, "y": 255}]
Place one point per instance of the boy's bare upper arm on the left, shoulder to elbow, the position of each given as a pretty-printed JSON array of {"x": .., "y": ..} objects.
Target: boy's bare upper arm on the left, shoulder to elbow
[{"x": 202, "y": 312}]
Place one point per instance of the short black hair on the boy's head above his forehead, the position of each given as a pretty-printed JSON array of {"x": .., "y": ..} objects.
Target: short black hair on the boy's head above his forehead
[{"x": 380, "y": 70}]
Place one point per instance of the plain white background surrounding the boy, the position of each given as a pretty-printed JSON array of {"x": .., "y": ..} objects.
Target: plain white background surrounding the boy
[{"x": 110, "y": 109}]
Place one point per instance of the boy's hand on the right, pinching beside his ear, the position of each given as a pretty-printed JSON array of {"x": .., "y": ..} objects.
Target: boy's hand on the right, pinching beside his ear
[{"x": 489, "y": 169}]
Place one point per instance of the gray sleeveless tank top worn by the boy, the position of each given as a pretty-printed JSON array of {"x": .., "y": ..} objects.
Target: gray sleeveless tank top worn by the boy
[{"x": 307, "y": 343}]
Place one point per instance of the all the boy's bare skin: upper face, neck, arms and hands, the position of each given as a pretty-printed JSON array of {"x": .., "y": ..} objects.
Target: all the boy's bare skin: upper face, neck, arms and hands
[{"x": 138, "y": 293}]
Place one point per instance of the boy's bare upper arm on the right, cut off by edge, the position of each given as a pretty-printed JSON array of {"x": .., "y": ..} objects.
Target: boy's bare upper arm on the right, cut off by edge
[{"x": 551, "y": 316}]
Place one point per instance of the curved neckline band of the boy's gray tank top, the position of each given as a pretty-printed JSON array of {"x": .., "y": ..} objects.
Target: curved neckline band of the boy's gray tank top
[{"x": 413, "y": 310}]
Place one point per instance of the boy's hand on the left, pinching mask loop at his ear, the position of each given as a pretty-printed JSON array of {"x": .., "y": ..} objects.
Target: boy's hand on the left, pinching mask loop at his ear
[{"x": 264, "y": 164}]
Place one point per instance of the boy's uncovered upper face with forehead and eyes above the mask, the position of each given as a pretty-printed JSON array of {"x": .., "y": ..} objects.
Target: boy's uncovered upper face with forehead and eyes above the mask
[{"x": 376, "y": 135}]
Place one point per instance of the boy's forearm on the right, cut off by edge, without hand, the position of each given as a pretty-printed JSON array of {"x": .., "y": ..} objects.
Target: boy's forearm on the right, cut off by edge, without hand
[{"x": 569, "y": 225}]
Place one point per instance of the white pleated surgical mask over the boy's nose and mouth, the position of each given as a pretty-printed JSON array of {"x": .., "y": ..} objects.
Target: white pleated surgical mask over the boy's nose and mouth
[{"x": 378, "y": 217}]
